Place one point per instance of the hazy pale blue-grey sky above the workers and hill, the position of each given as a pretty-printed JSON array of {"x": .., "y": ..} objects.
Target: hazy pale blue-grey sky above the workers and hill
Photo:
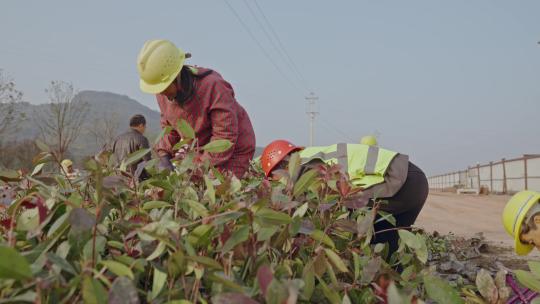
[{"x": 450, "y": 83}]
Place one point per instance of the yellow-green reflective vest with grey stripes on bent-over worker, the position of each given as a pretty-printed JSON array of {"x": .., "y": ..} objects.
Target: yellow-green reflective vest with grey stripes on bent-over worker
[{"x": 365, "y": 165}]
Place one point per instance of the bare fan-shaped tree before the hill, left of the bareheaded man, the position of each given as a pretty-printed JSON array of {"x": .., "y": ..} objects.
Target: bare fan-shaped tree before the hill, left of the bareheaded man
[{"x": 62, "y": 120}]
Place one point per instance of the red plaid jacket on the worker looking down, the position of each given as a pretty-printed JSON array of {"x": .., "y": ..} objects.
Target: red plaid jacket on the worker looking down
[{"x": 214, "y": 113}]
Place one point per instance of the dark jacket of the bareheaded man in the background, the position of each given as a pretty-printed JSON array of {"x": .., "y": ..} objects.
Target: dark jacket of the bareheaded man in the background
[{"x": 128, "y": 143}]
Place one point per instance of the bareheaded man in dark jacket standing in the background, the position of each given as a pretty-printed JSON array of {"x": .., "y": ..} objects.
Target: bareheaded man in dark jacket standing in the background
[{"x": 132, "y": 141}]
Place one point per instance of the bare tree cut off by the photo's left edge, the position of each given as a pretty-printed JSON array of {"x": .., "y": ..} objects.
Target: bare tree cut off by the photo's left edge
[{"x": 9, "y": 97}]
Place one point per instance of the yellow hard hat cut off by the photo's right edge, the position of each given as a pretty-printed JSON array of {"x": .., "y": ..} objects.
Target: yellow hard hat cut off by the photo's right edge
[{"x": 514, "y": 214}]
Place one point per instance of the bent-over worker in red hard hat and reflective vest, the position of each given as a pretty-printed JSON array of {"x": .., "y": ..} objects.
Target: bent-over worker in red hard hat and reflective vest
[{"x": 381, "y": 173}]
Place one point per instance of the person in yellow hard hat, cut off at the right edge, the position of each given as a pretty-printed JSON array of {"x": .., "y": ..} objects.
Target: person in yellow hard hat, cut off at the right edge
[{"x": 521, "y": 219}]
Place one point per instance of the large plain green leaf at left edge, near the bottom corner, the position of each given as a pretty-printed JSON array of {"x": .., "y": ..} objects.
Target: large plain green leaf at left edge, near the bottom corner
[{"x": 13, "y": 265}]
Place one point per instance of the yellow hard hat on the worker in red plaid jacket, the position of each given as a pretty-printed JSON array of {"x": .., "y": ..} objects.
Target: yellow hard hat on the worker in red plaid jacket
[{"x": 159, "y": 62}]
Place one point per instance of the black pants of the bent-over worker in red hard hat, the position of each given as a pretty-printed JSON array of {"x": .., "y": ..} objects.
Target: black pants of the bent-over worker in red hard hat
[{"x": 405, "y": 206}]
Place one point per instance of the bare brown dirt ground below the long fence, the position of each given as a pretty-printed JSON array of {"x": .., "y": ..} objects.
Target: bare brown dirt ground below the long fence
[{"x": 466, "y": 215}]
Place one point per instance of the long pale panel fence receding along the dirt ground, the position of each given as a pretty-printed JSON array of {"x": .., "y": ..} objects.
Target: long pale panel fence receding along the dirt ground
[{"x": 504, "y": 176}]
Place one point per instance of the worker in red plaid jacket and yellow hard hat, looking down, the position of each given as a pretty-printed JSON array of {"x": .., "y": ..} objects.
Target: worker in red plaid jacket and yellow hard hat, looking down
[{"x": 202, "y": 98}]
